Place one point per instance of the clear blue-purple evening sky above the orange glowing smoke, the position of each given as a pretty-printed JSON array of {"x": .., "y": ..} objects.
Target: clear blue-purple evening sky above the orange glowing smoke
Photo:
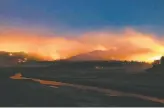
[{"x": 84, "y": 14}]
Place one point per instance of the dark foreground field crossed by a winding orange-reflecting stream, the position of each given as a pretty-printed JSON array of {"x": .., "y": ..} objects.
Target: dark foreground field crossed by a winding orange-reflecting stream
[{"x": 81, "y": 86}]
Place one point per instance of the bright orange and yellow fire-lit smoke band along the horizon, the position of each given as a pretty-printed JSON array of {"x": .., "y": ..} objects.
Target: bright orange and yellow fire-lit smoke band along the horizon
[{"x": 126, "y": 45}]
